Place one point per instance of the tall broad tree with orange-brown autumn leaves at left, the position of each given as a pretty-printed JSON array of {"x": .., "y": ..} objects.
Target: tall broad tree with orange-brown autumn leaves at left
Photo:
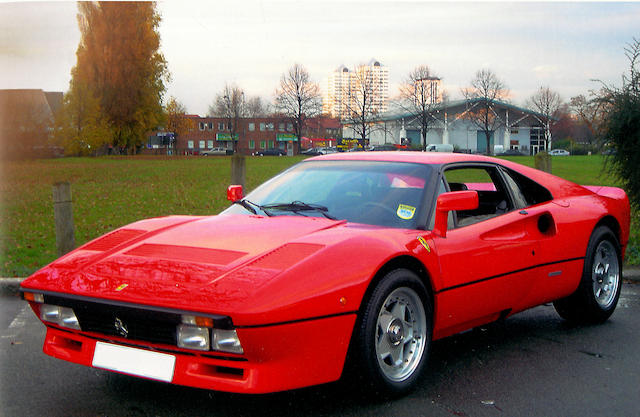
[{"x": 119, "y": 77}]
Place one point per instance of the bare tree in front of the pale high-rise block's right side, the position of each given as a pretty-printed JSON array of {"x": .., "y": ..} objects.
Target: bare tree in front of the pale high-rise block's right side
[{"x": 361, "y": 104}]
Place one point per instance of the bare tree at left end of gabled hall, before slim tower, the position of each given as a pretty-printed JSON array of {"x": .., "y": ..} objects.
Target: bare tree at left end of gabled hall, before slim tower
[{"x": 419, "y": 96}]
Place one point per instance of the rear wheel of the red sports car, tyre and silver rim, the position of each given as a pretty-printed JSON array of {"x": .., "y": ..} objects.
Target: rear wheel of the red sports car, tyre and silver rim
[{"x": 597, "y": 295}]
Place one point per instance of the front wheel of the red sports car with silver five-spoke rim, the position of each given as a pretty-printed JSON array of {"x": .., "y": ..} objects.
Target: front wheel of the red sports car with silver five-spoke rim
[{"x": 394, "y": 336}]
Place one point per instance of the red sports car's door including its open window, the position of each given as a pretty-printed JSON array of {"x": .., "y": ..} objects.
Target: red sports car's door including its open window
[{"x": 487, "y": 256}]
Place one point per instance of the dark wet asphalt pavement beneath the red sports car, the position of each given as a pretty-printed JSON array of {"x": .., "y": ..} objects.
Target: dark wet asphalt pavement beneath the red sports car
[{"x": 533, "y": 364}]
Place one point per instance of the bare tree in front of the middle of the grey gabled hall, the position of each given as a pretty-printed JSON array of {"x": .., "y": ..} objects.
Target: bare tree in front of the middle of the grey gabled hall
[{"x": 485, "y": 91}]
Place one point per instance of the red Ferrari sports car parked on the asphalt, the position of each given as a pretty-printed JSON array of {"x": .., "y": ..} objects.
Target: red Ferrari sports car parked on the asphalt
[{"x": 346, "y": 261}]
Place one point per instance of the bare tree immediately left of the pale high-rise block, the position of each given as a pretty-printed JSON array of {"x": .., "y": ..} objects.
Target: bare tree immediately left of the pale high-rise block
[{"x": 298, "y": 99}]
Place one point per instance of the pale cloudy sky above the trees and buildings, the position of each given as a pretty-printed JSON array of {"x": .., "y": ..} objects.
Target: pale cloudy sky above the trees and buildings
[{"x": 564, "y": 46}]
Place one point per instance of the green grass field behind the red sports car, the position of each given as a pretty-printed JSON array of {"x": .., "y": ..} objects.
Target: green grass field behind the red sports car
[{"x": 113, "y": 191}]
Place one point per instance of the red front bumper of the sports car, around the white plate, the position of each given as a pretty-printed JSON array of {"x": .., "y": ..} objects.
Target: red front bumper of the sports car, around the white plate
[{"x": 276, "y": 357}]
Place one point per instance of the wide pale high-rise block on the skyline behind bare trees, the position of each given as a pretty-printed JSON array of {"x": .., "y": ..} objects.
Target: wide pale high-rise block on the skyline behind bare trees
[{"x": 367, "y": 84}]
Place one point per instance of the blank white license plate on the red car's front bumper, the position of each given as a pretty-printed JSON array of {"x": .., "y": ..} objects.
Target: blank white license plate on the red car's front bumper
[{"x": 133, "y": 361}]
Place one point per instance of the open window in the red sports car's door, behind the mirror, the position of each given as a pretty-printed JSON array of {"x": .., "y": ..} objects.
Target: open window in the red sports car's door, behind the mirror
[{"x": 493, "y": 197}]
